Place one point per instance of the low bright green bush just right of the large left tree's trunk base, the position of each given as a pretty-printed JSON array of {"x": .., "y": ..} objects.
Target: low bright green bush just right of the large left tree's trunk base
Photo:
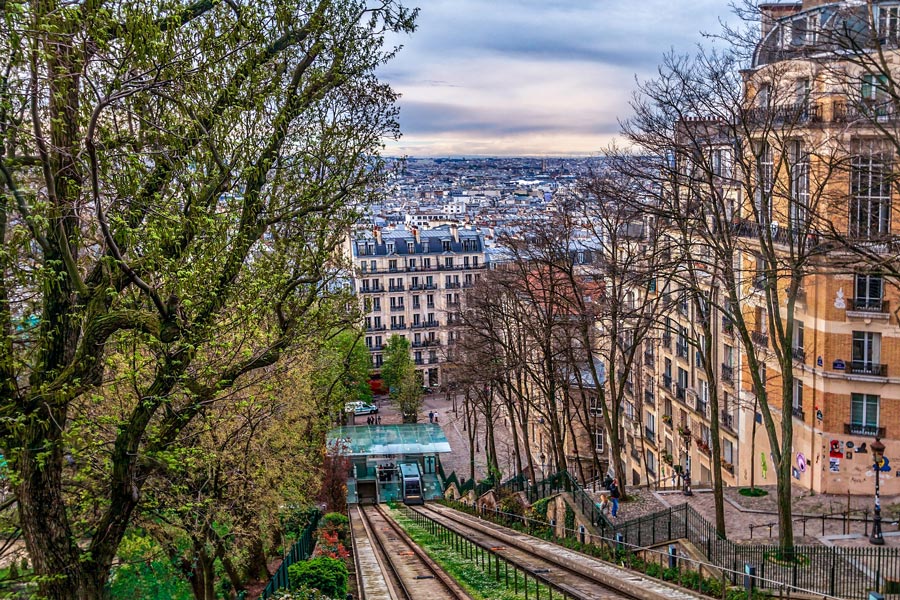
[{"x": 146, "y": 572}]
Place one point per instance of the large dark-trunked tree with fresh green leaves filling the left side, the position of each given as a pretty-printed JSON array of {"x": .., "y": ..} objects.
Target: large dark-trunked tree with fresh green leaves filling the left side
[{"x": 175, "y": 177}]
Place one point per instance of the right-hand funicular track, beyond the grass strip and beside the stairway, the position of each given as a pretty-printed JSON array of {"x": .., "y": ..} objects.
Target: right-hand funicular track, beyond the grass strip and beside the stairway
[{"x": 578, "y": 576}]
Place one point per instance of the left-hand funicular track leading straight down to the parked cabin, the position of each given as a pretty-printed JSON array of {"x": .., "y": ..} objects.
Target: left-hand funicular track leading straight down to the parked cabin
[{"x": 409, "y": 572}]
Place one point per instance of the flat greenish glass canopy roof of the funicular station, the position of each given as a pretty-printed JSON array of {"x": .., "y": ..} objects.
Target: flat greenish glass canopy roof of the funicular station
[{"x": 410, "y": 438}]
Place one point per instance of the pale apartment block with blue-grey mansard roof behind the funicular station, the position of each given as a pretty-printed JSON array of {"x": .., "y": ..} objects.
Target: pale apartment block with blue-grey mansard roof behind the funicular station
[{"x": 410, "y": 282}]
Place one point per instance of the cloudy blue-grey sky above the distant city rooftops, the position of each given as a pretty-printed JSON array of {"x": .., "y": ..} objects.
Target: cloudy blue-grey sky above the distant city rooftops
[{"x": 532, "y": 77}]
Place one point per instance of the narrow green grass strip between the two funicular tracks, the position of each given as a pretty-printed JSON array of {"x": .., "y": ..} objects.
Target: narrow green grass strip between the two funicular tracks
[{"x": 479, "y": 584}]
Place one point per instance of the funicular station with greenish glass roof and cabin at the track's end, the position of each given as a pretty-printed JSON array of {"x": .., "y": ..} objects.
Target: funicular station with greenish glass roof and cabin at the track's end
[{"x": 391, "y": 462}]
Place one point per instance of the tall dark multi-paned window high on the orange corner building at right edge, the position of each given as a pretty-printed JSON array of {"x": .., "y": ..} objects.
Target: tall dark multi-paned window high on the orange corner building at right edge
[{"x": 870, "y": 189}]
